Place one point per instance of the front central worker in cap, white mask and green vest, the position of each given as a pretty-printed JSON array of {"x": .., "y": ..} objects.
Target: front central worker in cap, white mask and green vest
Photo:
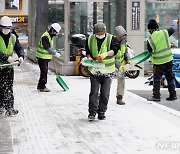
[{"x": 100, "y": 46}]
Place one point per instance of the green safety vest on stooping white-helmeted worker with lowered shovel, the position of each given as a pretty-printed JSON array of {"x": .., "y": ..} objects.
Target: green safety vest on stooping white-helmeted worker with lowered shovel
[{"x": 41, "y": 52}]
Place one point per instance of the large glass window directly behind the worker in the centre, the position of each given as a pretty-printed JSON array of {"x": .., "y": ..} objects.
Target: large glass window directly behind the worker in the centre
[{"x": 83, "y": 16}]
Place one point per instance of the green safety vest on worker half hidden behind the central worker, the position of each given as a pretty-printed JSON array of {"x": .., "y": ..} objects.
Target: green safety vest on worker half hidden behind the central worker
[{"x": 120, "y": 55}]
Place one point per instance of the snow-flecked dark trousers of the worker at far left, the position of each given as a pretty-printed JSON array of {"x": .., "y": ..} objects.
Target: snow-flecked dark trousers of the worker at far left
[{"x": 6, "y": 87}]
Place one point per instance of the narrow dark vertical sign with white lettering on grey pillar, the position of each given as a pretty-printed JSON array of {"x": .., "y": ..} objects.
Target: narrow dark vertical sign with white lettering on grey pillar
[{"x": 135, "y": 15}]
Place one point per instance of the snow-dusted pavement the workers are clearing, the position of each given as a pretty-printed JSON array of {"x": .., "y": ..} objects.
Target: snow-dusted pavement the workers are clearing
[{"x": 56, "y": 122}]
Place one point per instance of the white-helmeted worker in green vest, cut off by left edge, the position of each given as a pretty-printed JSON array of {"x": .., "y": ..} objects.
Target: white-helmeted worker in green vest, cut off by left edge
[{"x": 8, "y": 44}]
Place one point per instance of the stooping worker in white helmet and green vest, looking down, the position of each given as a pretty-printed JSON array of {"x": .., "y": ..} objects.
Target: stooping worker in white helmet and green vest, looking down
[{"x": 45, "y": 53}]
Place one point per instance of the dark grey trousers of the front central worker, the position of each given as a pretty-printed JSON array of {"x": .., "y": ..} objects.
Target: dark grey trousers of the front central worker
[{"x": 98, "y": 101}]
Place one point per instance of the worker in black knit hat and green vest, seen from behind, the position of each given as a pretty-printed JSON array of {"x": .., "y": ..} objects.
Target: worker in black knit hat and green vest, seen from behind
[{"x": 158, "y": 44}]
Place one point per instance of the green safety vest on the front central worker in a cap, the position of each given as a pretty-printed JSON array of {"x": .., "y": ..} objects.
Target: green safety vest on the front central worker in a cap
[{"x": 109, "y": 61}]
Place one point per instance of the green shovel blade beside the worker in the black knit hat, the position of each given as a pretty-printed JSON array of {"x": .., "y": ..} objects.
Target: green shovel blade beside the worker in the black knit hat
[{"x": 141, "y": 57}]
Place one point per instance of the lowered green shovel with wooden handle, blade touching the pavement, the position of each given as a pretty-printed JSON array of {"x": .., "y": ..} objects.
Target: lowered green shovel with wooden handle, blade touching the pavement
[{"x": 59, "y": 80}]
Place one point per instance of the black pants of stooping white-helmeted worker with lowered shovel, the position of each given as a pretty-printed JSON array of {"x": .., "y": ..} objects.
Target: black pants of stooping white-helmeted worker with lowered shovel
[{"x": 43, "y": 65}]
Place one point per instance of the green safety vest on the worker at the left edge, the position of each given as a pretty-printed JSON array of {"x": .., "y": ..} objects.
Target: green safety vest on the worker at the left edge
[{"x": 10, "y": 48}]
